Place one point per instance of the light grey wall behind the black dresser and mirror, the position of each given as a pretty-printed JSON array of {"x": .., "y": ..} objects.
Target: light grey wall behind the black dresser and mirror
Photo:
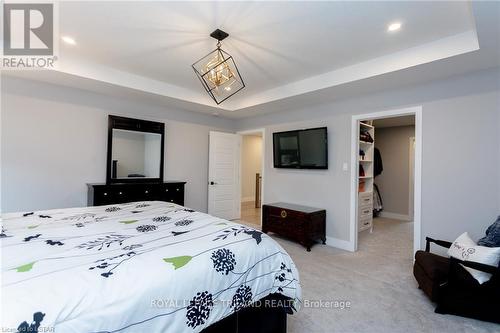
[{"x": 54, "y": 139}]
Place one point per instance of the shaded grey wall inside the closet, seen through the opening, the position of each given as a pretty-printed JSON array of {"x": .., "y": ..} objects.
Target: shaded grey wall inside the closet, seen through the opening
[{"x": 394, "y": 182}]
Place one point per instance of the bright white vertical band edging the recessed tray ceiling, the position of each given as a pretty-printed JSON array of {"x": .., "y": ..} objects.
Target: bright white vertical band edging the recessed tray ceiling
[{"x": 106, "y": 76}]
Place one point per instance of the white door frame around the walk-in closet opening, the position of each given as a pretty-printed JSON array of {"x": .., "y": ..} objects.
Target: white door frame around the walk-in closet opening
[{"x": 417, "y": 199}]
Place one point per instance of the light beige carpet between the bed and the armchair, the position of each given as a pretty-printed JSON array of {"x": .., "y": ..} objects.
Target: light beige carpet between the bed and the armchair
[{"x": 378, "y": 282}]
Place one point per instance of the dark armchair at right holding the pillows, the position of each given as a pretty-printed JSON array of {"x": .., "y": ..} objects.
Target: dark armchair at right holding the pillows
[{"x": 455, "y": 291}]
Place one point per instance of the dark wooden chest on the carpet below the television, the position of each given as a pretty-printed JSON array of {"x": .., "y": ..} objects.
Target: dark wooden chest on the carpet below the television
[{"x": 300, "y": 223}]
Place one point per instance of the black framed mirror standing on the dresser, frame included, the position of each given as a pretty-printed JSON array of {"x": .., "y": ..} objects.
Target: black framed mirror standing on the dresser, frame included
[{"x": 135, "y": 150}]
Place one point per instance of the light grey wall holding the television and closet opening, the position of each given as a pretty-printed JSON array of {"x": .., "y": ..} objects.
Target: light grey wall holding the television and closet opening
[{"x": 460, "y": 189}]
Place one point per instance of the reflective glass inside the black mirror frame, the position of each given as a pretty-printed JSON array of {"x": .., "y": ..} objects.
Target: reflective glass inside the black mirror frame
[{"x": 135, "y": 154}]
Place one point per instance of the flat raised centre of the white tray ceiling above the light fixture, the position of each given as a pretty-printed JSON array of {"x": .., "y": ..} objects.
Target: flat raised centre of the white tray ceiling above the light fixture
[{"x": 274, "y": 43}]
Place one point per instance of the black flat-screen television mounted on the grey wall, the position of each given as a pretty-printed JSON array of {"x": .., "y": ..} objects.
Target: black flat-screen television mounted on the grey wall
[{"x": 301, "y": 149}]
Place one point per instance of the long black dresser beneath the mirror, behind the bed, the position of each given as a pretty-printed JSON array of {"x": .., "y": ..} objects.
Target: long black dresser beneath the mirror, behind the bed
[{"x": 107, "y": 194}]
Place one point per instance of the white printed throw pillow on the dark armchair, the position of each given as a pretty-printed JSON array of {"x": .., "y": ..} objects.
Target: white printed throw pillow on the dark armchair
[{"x": 464, "y": 248}]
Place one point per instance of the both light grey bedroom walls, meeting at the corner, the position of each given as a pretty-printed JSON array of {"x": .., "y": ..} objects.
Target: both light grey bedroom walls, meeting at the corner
[{"x": 66, "y": 146}]
